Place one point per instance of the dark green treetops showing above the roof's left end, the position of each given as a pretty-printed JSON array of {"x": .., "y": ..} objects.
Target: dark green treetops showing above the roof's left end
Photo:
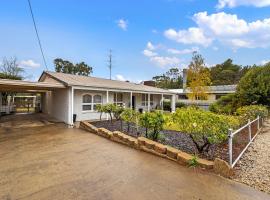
[{"x": 68, "y": 67}]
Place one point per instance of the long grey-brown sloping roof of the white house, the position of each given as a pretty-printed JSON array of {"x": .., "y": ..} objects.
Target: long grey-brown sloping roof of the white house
[{"x": 86, "y": 81}]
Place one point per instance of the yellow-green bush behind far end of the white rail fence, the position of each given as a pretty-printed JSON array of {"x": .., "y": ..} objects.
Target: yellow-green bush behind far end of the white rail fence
[{"x": 251, "y": 112}]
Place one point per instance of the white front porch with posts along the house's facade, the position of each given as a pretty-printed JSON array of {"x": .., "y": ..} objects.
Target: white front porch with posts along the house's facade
[{"x": 86, "y": 99}]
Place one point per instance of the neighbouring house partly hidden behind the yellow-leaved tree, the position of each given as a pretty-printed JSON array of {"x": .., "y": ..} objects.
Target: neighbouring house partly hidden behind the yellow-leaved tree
[{"x": 213, "y": 94}]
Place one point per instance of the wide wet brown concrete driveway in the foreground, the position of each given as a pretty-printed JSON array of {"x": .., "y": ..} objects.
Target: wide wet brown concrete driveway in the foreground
[{"x": 55, "y": 162}]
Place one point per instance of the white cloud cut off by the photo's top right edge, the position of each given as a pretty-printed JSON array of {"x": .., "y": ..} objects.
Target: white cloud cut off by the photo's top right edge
[{"x": 235, "y": 3}]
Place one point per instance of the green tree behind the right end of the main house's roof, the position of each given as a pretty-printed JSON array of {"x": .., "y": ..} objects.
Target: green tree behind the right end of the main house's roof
[{"x": 172, "y": 79}]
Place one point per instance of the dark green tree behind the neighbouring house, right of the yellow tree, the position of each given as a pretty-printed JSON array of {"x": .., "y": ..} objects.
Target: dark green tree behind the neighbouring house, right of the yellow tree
[{"x": 227, "y": 73}]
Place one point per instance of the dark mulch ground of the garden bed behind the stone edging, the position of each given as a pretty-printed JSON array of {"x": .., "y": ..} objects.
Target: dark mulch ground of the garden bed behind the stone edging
[{"x": 176, "y": 139}]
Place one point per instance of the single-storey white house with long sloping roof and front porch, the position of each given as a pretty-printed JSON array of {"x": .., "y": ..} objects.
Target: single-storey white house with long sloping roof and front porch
[{"x": 81, "y": 94}]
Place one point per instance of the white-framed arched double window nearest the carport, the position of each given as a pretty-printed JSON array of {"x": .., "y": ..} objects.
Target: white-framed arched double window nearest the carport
[{"x": 90, "y": 101}]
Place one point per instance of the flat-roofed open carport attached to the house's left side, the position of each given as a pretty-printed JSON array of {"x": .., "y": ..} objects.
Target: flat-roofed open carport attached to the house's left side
[{"x": 43, "y": 90}]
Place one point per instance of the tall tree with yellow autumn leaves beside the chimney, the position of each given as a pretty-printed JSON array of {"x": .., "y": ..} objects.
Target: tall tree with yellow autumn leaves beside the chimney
[{"x": 198, "y": 77}]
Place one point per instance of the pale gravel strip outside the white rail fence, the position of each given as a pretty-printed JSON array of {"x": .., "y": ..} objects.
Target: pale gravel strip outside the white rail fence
[{"x": 254, "y": 168}]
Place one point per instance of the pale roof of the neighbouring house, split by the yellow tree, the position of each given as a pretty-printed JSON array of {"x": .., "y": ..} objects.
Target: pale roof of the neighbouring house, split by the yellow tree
[{"x": 218, "y": 89}]
